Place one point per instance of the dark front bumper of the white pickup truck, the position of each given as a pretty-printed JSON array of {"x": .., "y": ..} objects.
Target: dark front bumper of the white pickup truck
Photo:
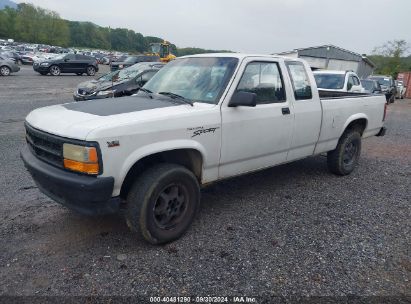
[{"x": 85, "y": 194}]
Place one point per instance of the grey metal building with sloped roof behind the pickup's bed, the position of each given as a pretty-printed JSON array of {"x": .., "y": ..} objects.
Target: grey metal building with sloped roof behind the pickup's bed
[{"x": 331, "y": 57}]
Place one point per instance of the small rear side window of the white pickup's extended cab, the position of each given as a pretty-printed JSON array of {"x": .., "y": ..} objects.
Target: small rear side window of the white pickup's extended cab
[{"x": 300, "y": 81}]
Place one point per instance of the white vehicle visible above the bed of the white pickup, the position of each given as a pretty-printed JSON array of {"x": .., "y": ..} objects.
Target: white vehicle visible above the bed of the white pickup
[{"x": 343, "y": 81}]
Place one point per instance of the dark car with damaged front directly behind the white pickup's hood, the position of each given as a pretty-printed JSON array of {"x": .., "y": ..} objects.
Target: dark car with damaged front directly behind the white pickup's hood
[{"x": 118, "y": 83}]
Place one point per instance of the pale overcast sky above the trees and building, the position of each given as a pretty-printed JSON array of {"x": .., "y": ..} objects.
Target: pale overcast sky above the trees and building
[{"x": 252, "y": 26}]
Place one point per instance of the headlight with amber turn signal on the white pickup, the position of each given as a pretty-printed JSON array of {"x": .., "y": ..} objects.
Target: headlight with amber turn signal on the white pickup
[{"x": 81, "y": 159}]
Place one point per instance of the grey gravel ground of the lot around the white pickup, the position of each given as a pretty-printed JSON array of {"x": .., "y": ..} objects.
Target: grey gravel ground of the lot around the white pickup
[{"x": 295, "y": 229}]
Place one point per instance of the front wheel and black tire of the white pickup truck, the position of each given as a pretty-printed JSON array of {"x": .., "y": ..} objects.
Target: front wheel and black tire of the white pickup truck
[{"x": 163, "y": 202}]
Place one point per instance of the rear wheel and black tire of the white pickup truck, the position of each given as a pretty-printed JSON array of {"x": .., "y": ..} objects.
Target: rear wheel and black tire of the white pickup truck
[{"x": 344, "y": 159}]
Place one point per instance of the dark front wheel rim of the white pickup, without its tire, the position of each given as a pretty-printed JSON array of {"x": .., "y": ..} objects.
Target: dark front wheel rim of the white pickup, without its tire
[{"x": 170, "y": 206}]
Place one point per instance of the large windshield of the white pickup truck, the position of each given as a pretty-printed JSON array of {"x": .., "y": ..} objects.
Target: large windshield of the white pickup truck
[{"x": 199, "y": 79}]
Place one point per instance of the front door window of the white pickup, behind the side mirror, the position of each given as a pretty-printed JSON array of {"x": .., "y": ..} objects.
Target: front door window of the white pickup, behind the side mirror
[{"x": 263, "y": 79}]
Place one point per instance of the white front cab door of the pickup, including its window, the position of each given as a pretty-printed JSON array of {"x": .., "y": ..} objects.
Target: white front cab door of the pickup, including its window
[{"x": 260, "y": 136}]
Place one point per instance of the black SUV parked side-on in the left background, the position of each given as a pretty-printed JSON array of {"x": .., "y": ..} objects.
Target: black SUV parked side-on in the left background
[{"x": 67, "y": 63}]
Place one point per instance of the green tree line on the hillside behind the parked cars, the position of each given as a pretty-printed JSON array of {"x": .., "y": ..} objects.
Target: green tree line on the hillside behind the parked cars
[{"x": 33, "y": 24}]
